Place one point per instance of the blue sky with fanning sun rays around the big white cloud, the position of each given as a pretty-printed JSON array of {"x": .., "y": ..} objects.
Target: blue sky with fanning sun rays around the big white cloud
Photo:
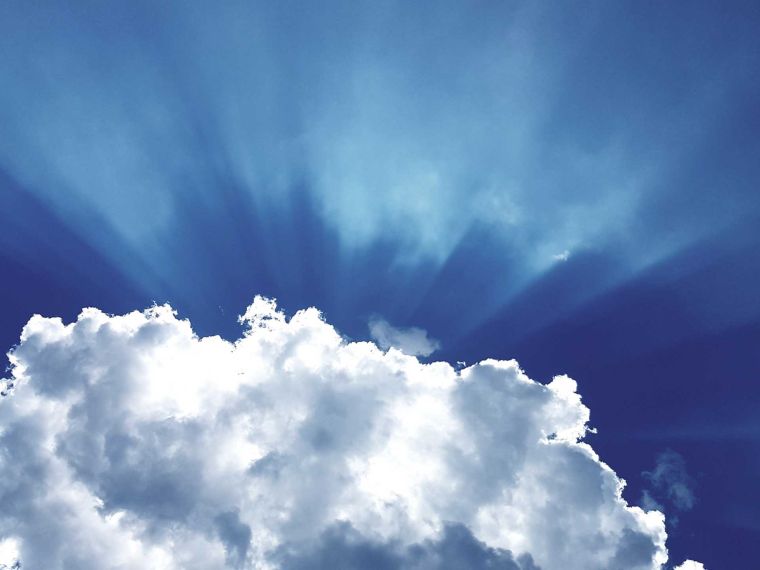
[{"x": 573, "y": 186}]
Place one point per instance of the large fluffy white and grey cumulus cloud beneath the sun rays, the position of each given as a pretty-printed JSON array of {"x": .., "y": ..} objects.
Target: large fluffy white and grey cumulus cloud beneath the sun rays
[{"x": 129, "y": 442}]
